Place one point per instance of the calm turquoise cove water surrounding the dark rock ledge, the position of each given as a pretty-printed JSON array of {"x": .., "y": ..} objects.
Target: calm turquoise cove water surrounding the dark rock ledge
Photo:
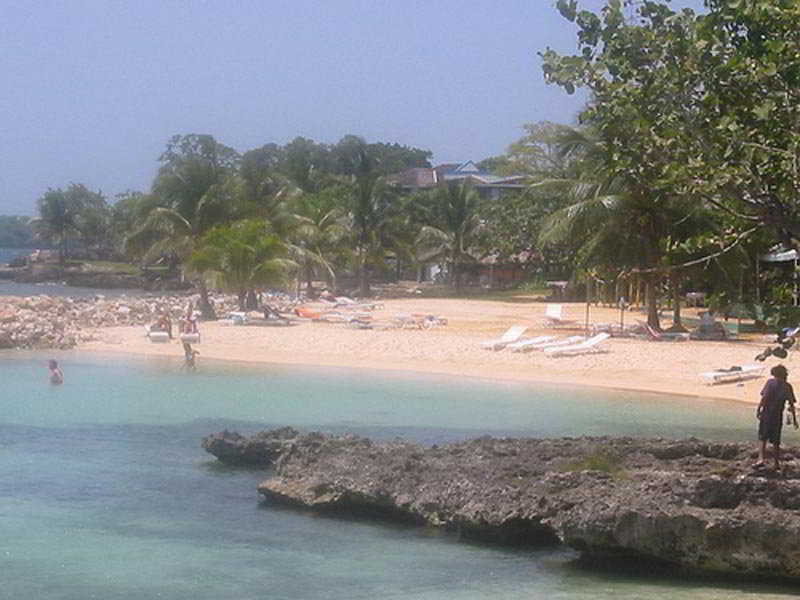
[{"x": 106, "y": 493}]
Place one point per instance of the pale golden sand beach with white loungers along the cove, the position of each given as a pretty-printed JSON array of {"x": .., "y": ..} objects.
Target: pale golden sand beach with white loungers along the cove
[{"x": 454, "y": 349}]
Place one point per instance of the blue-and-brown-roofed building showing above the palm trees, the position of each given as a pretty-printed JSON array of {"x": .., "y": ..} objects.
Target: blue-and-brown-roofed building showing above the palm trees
[{"x": 486, "y": 184}]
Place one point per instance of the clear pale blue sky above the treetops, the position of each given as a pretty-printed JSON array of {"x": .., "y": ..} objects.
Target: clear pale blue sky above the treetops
[{"x": 91, "y": 90}]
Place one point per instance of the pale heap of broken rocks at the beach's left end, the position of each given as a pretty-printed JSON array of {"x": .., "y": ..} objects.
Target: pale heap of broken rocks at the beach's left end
[{"x": 50, "y": 322}]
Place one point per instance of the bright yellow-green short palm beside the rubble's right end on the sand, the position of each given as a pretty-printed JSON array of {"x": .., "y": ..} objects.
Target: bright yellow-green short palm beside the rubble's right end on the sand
[{"x": 241, "y": 257}]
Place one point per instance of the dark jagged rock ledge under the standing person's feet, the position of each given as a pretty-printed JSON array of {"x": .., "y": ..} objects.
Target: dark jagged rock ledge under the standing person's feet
[{"x": 697, "y": 505}]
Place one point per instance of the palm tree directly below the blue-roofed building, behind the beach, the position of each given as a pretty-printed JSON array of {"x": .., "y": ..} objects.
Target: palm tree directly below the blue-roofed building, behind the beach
[{"x": 452, "y": 233}]
